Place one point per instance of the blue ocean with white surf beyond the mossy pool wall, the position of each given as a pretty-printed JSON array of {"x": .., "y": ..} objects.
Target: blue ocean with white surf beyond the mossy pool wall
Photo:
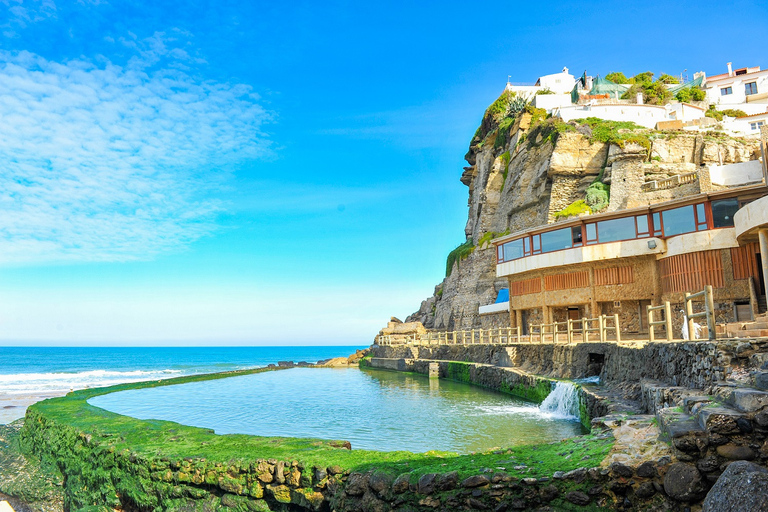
[{"x": 29, "y": 374}]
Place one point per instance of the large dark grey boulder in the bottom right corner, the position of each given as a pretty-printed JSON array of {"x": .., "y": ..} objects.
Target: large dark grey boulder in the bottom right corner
[{"x": 743, "y": 487}]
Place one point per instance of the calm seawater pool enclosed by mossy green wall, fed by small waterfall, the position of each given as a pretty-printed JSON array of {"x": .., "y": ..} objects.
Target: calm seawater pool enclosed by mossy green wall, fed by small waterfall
[{"x": 373, "y": 409}]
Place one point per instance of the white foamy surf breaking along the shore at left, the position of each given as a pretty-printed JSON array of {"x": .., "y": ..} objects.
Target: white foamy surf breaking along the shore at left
[{"x": 43, "y": 383}]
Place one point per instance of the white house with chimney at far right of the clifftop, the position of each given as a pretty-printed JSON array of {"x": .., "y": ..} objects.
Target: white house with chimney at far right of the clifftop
[{"x": 741, "y": 87}]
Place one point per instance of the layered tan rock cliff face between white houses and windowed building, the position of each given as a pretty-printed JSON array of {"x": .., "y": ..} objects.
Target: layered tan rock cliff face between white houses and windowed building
[{"x": 523, "y": 169}]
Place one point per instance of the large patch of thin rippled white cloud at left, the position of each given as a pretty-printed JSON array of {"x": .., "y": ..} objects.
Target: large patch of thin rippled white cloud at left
[{"x": 102, "y": 162}]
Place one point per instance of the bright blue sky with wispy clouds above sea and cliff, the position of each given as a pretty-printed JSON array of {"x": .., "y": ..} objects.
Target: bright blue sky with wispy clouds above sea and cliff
[{"x": 254, "y": 173}]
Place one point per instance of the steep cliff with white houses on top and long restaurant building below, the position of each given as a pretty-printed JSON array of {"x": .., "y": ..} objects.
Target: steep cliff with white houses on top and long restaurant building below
[{"x": 647, "y": 191}]
